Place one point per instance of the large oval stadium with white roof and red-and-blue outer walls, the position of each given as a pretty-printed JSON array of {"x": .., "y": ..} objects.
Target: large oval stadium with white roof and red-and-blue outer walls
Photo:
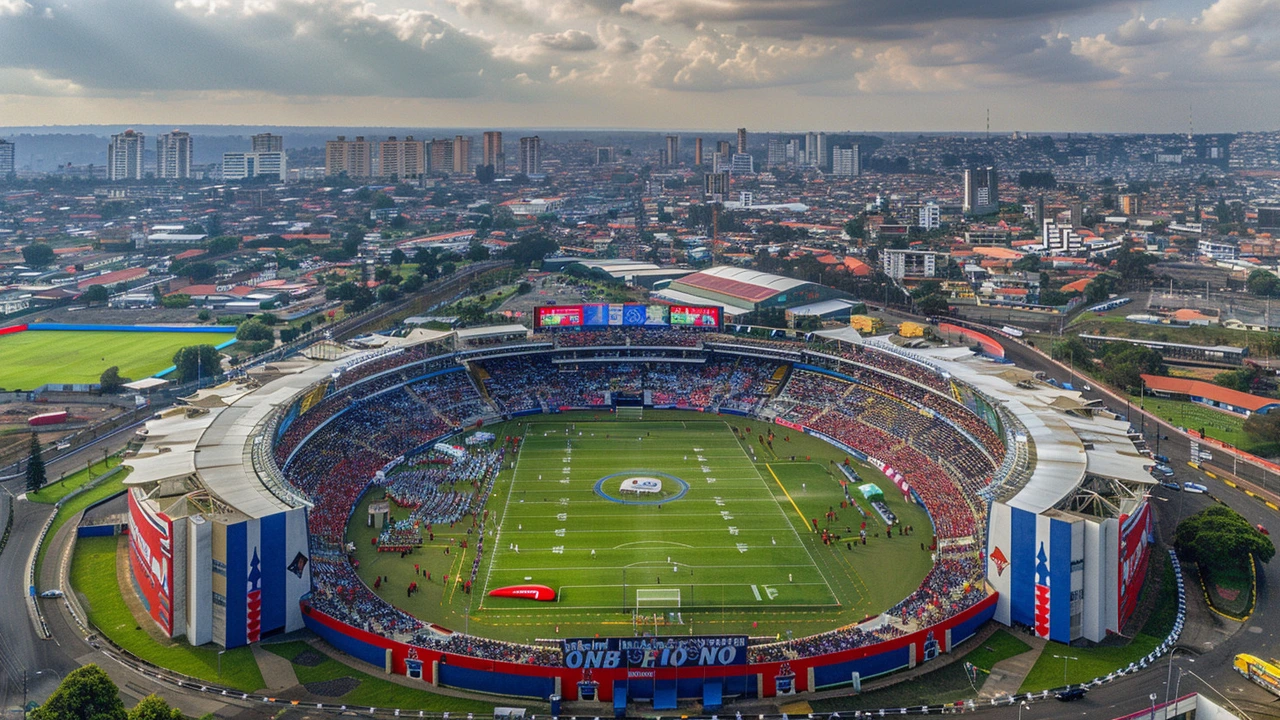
[{"x": 638, "y": 504}]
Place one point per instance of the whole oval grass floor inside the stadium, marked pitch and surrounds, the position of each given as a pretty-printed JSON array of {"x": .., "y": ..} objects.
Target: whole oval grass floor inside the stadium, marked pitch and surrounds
[{"x": 728, "y": 545}]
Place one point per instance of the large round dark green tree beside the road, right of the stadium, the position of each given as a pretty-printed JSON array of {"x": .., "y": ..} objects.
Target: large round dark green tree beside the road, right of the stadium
[{"x": 1222, "y": 540}]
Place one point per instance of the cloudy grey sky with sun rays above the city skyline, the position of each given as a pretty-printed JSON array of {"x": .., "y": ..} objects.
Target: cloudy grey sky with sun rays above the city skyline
[{"x": 666, "y": 65}]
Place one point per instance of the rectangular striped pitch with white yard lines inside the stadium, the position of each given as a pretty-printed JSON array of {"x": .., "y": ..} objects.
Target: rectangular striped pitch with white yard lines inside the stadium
[{"x": 714, "y": 536}]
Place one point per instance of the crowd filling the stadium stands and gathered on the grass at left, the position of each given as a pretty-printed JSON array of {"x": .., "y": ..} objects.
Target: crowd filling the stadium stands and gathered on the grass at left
[{"x": 880, "y": 416}]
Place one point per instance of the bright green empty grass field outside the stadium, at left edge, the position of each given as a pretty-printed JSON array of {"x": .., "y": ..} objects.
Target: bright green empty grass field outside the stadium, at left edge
[{"x": 35, "y": 358}]
